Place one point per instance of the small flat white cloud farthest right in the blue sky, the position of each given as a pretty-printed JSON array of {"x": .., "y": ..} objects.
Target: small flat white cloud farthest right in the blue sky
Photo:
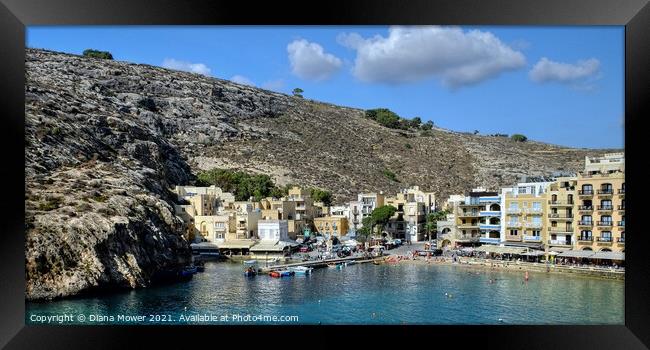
[{"x": 547, "y": 71}]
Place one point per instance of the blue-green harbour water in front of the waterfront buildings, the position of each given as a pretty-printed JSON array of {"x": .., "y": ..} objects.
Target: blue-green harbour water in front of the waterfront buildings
[{"x": 356, "y": 294}]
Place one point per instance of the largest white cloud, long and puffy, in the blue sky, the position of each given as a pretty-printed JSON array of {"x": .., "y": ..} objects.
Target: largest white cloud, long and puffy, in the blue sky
[{"x": 410, "y": 54}]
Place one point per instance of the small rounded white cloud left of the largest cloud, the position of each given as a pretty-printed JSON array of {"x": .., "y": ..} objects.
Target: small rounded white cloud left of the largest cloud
[{"x": 309, "y": 61}]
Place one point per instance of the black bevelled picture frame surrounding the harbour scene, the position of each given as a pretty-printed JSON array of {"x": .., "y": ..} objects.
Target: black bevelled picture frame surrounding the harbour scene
[{"x": 16, "y": 14}]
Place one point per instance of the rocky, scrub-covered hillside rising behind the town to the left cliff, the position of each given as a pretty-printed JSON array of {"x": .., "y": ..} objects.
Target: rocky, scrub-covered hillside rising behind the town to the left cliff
[{"x": 105, "y": 140}]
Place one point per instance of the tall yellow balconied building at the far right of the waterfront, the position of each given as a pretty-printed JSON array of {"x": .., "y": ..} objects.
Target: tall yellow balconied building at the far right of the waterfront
[{"x": 601, "y": 204}]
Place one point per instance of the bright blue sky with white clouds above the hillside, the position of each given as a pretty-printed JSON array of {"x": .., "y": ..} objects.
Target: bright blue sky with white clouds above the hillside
[{"x": 560, "y": 85}]
